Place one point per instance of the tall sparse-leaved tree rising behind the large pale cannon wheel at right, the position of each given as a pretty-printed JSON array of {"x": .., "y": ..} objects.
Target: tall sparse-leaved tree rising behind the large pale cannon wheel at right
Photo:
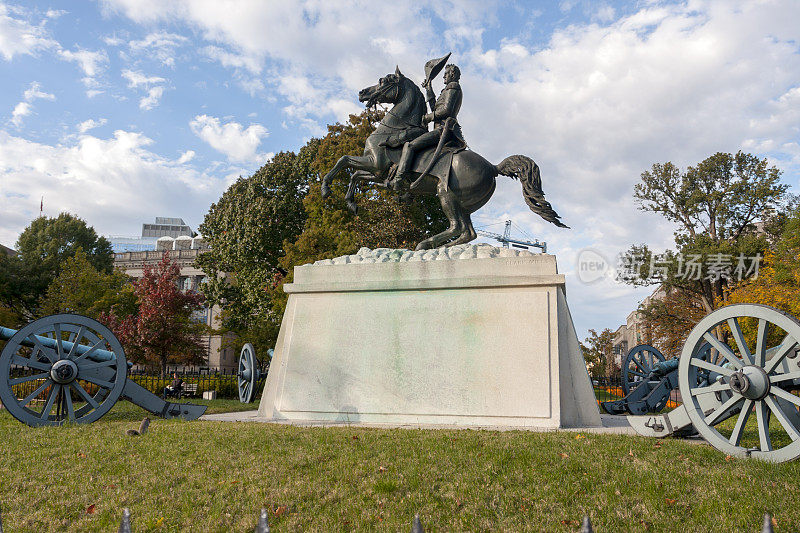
[{"x": 724, "y": 209}]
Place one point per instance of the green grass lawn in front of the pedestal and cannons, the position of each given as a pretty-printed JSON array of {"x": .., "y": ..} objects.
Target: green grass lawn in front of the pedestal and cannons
[{"x": 216, "y": 476}]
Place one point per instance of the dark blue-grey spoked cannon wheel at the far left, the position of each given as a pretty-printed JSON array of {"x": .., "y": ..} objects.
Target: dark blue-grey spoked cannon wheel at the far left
[{"x": 61, "y": 376}]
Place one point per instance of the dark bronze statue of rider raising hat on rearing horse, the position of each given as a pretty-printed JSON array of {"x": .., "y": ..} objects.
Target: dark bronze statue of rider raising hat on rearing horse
[{"x": 403, "y": 156}]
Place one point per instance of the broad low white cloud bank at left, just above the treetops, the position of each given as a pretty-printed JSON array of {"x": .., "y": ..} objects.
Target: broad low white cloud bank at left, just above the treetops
[{"x": 128, "y": 183}]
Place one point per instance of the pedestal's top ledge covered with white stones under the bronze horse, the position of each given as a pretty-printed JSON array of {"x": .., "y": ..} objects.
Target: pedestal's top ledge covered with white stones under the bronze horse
[{"x": 480, "y": 265}]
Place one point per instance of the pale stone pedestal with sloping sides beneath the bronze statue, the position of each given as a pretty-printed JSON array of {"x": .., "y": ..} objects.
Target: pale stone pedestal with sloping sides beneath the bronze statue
[{"x": 470, "y": 336}]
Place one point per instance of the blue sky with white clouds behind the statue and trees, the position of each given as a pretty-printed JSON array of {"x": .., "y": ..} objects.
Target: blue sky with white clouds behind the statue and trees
[{"x": 119, "y": 111}]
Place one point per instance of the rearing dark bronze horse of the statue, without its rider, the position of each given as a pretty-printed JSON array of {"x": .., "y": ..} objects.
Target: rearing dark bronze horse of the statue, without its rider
[{"x": 463, "y": 186}]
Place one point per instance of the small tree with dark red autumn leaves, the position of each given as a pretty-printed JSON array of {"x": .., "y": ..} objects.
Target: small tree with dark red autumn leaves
[{"x": 163, "y": 332}]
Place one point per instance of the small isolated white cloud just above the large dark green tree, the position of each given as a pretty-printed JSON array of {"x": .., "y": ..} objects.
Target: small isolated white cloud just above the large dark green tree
[{"x": 232, "y": 139}]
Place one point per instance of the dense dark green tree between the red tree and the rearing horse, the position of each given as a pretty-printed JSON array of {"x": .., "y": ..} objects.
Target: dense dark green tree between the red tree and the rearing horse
[{"x": 246, "y": 231}]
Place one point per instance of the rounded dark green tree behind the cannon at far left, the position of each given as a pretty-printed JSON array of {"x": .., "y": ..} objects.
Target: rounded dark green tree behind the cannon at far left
[{"x": 42, "y": 248}]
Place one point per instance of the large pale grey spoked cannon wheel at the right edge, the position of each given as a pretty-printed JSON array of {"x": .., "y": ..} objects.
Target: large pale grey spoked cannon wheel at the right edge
[{"x": 748, "y": 378}]
